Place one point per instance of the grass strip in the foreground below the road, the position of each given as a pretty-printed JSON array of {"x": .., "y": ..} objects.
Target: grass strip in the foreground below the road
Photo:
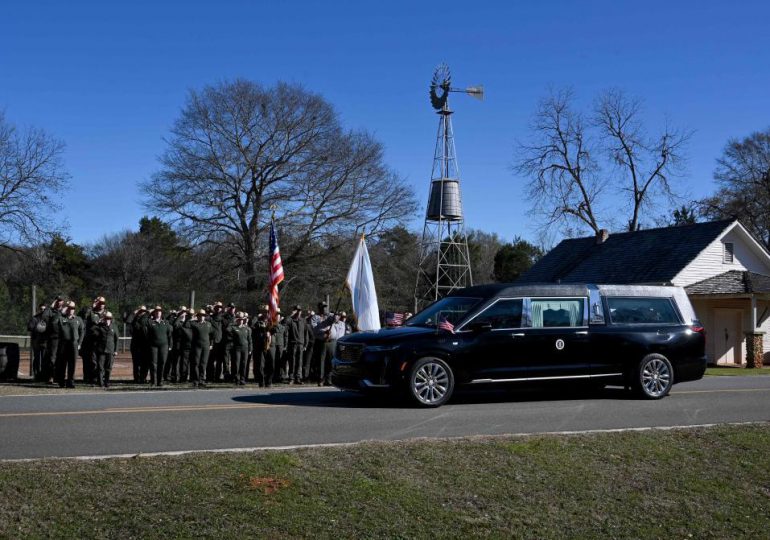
[{"x": 696, "y": 483}]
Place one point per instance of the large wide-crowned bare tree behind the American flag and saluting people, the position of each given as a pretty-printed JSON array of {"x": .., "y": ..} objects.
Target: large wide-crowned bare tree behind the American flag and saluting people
[{"x": 239, "y": 150}]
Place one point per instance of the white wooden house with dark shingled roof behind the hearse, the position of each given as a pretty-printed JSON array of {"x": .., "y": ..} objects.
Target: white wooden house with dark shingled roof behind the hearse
[{"x": 723, "y": 268}]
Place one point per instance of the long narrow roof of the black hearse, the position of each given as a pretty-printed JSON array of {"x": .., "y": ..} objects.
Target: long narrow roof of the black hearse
[{"x": 492, "y": 290}]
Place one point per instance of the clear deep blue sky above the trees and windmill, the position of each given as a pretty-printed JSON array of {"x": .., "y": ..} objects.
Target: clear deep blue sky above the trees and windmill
[{"x": 109, "y": 78}]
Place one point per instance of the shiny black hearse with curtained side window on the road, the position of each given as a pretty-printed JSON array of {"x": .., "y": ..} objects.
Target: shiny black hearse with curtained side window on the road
[{"x": 644, "y": 337}]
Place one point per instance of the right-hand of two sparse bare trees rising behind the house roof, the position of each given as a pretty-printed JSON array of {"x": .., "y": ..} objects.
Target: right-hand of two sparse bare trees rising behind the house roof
[{"x": 643, "y": 165}]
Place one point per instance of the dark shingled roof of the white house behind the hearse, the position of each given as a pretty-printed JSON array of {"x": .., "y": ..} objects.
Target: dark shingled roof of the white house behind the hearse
[{"x": 647, "y": 256}]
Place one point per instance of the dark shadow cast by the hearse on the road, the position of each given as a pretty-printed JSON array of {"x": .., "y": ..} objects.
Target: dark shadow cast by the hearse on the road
[{"x": 334, "y": 399}]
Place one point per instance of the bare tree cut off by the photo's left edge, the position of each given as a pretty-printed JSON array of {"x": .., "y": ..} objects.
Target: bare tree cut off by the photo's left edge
[{"x": 31, "y": 174}]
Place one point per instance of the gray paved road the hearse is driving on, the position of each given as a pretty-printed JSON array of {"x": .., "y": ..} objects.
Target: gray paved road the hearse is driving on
[{"x": 87, "y": 424}]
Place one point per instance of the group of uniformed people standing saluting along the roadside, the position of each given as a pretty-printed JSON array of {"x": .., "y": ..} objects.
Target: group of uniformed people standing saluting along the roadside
[{"x": 214, "y": 344}]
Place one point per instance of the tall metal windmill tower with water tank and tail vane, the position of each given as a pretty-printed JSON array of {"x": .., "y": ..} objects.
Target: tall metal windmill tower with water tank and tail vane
[{"x": 444, "y": 263}]
